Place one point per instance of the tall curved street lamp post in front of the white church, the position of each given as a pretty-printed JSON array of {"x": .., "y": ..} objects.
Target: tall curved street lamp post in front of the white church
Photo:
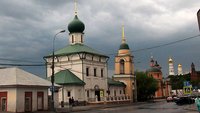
[{"x": 52, "y": 76}]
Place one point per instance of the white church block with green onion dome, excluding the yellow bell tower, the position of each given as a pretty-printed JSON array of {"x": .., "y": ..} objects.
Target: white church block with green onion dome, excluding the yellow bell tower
[{"x": 87, "y": 67}]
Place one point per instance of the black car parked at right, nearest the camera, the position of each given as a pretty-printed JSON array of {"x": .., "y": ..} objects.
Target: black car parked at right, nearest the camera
[{"x": 185, "y": 100}]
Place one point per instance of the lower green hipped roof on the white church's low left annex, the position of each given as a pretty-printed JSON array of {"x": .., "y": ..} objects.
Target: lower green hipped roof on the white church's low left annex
[{"x": 66, "y": 77}]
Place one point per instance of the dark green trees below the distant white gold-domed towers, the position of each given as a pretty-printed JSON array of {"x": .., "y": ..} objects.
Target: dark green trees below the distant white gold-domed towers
[{"x": 177, "y": 81}]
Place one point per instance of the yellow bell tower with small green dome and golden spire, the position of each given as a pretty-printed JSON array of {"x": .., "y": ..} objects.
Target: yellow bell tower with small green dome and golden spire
[{"x": 124, "y": 68}]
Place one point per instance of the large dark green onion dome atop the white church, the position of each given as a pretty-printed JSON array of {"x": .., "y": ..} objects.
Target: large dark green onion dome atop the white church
[{"x": 76, "y": 26}]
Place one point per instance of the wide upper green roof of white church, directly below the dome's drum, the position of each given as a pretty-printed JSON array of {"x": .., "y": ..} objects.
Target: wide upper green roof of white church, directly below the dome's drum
[{"x": 76, "y": 48}]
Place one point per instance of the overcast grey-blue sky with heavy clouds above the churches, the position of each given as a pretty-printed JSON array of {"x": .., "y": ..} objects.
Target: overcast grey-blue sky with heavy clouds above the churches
[{"x": 27, "y": 28}]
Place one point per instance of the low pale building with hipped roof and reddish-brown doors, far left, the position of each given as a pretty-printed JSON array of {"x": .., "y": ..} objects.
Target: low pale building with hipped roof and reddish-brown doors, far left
[{"x": 22, "y": 91}]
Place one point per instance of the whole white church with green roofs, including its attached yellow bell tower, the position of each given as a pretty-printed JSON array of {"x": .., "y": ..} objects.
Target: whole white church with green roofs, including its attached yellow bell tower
[{"x": 83, "y": 71}]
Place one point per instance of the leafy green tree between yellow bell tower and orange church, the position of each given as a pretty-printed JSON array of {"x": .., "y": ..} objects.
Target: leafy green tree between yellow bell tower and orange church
[{"x": 146, "y": 86}]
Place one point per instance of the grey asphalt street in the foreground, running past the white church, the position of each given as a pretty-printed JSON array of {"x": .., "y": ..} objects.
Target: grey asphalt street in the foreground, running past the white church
[{"x": 159, "y": 107}]
